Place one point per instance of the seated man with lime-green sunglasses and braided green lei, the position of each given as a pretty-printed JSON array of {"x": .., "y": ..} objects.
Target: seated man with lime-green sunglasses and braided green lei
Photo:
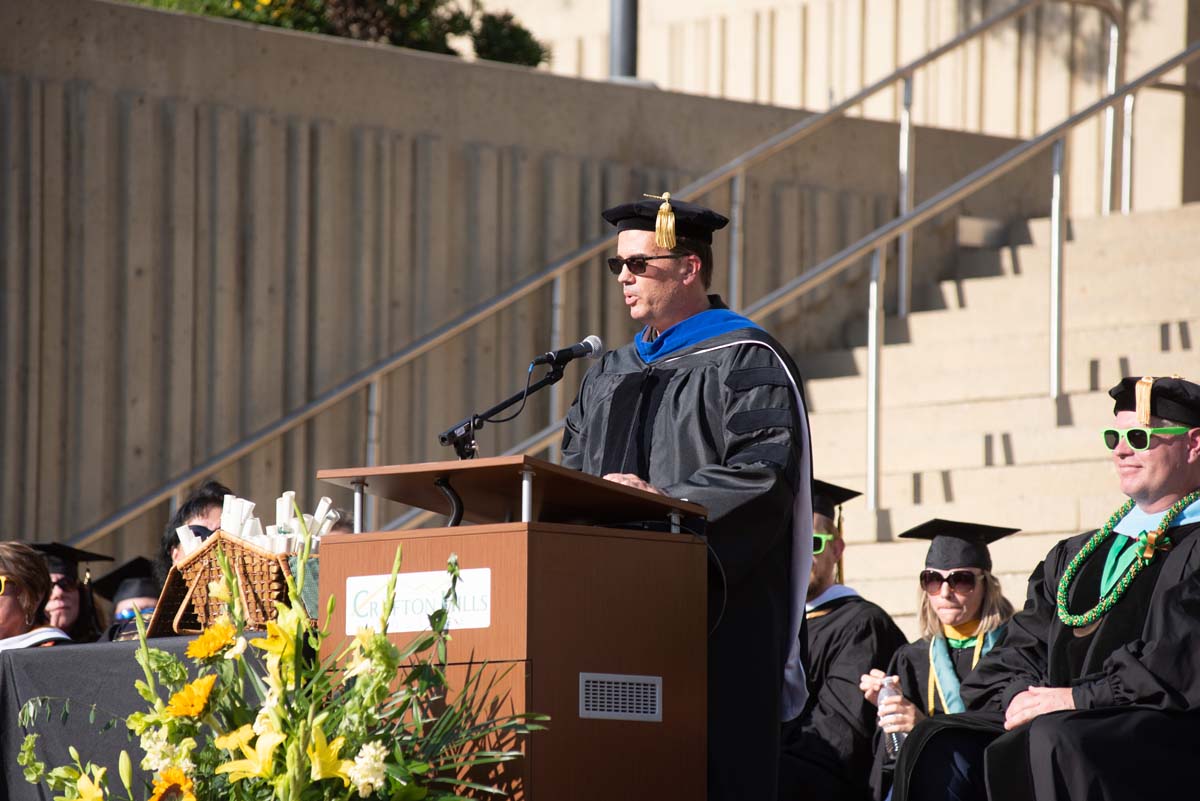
[{"x": 1096, "y": 691}]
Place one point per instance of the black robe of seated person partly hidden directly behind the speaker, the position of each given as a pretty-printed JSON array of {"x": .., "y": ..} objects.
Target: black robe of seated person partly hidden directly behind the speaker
[{"x": 827, "y": 751}]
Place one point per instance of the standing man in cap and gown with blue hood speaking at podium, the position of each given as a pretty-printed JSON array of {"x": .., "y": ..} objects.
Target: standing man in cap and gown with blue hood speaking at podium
[{"x": 705, "y": 406}]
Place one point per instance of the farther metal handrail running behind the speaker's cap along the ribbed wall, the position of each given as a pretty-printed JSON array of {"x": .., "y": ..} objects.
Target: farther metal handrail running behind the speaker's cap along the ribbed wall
[{"x": 734, "y": 173}]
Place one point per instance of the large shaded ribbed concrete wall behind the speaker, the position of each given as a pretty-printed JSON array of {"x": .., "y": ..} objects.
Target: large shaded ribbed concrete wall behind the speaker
[{"x": 205, "y": 225}]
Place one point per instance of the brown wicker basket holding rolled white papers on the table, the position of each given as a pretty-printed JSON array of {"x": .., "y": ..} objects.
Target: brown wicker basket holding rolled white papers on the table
[{"x": 185, "y": 607}]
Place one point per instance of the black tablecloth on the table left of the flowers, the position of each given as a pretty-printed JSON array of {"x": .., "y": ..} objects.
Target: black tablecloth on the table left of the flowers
[{"x": 101, "y": 674}]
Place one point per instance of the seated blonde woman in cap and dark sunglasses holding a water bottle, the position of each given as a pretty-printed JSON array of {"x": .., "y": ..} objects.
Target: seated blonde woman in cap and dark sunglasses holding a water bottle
[{"x": 962, "y": 615}]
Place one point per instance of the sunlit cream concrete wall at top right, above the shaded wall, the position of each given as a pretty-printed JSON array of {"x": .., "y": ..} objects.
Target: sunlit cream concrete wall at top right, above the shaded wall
[{"x": 1017, "y": 82}]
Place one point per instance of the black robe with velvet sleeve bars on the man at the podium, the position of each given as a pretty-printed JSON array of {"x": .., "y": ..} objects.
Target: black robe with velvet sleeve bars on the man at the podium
[{"x": 722, "y": 425}]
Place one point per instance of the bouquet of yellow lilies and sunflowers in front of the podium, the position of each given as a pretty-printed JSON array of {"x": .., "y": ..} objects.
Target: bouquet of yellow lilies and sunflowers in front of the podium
[{"x": 267, "y": 719}]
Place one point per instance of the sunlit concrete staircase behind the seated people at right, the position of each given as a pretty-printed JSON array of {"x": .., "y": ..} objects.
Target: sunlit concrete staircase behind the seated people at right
[{"x": 968, "y": 429}]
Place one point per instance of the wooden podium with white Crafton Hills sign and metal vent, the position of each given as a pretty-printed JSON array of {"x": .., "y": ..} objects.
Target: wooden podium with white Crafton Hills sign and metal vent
[{"x": 603, "y": 625}]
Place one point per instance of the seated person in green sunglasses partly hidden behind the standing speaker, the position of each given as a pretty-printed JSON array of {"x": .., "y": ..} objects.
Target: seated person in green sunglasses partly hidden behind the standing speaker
[{"x": 827, "y": 750}]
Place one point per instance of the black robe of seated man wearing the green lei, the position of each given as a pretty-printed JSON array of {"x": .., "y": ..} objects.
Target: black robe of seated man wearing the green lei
[{"x": 1135, "y": 678}]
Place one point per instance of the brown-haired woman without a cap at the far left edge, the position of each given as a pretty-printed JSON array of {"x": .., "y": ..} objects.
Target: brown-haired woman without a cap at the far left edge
[{"x": 25, "y": 591}]
